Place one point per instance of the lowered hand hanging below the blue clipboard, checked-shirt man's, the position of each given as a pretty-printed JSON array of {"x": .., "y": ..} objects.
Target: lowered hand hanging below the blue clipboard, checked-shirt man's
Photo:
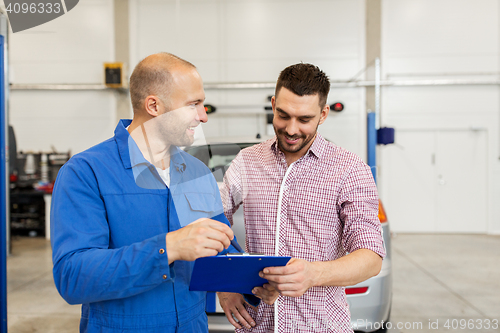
[{"x": 234, "y": 305}]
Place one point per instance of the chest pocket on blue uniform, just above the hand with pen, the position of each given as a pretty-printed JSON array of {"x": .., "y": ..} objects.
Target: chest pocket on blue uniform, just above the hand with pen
[{"x": 191, "y": 206}]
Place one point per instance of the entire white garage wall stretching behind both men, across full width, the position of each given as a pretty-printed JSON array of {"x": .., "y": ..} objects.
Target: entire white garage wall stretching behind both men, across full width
[{"x": 447, "y": 151}]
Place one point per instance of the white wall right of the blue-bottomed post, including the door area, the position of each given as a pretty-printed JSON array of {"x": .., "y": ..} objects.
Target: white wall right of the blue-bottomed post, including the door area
[{"x": 441, "y": 39}]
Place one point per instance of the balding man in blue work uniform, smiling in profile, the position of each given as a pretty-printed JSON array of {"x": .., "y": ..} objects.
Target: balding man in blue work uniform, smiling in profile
[{"x": 130, "y": 214}]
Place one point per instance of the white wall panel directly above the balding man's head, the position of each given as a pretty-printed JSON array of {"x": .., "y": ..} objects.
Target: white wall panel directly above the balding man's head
[{"x": 189, "y": 29}]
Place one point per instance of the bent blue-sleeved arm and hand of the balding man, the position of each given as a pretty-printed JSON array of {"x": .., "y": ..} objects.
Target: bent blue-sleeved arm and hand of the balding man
[{"x": 86, "y": 269}]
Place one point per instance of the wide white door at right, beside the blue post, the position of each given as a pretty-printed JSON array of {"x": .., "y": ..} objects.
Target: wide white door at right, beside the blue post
[{"x": 435, "y": 181}]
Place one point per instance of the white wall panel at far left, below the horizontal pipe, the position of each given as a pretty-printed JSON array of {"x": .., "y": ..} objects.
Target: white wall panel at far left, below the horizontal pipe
[{"x": 64, "y": 120}]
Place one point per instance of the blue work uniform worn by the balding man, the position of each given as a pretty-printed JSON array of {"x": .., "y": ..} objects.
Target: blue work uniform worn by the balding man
[{"x": 109, "y": 219}]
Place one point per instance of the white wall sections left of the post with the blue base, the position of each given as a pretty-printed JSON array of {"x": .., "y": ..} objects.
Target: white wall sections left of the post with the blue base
[{"x": 227, "y": 40}]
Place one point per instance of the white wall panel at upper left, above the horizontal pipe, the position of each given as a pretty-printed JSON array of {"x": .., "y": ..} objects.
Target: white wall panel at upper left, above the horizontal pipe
[{"x": 70, "y": 49}]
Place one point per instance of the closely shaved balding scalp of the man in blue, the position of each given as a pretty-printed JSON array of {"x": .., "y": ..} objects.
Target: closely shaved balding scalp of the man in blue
[{"x": 152, "y": 76}]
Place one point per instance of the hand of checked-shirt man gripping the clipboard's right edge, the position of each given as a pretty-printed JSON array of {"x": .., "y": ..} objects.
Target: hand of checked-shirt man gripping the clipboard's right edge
[{"x": 294, "y": 279}]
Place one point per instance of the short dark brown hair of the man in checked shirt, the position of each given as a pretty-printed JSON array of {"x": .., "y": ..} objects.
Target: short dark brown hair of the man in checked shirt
[{"x": 304, "y": 79}]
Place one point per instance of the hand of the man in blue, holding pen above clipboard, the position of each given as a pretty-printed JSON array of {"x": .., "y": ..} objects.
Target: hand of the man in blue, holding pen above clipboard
[{"x": 202, "y": 238}]
